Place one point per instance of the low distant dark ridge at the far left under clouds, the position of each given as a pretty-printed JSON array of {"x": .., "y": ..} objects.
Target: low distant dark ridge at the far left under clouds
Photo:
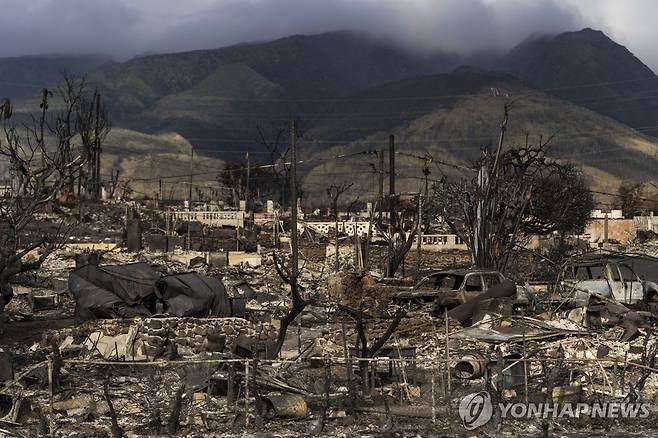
[{"x": 24, "y": 76}]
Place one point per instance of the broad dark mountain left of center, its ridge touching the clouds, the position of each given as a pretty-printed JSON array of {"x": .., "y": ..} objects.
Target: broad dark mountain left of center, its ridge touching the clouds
[{"x": 225, "y": 93}]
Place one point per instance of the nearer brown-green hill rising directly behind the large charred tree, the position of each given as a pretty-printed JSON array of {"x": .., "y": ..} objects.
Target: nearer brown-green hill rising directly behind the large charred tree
[{"x": 450, "y": 116}]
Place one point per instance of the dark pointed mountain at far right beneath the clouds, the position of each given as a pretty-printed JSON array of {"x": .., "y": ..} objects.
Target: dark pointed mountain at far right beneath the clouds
[{"x": 590, "y": 69}]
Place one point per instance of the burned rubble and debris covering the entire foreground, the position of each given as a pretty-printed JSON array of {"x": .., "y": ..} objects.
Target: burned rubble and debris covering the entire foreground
[{"x": 187, "y": 343}]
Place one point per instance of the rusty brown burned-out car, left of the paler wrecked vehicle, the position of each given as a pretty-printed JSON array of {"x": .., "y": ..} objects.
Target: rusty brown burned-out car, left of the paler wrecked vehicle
[{"x": 449, "y": 289}]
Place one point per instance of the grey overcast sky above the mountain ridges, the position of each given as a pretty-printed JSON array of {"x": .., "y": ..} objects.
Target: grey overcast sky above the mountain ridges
[{"x": 124, "y": 28}]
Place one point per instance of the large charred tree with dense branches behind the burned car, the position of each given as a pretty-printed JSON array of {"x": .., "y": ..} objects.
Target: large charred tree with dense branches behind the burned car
[{"x": 515, "y": 193}]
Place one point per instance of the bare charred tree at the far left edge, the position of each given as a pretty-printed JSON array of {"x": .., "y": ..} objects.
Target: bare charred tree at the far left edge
[{"x": 44, "y": 157}]
